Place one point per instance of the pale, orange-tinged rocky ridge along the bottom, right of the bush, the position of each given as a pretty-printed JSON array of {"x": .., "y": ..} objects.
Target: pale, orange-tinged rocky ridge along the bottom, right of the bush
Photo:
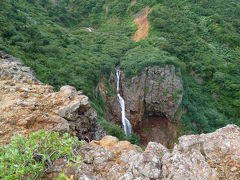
[{"x": 202, "y": 157}]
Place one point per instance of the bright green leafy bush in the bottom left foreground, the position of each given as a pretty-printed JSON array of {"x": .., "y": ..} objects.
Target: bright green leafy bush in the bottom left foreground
[{"x": 29, "y": 158}]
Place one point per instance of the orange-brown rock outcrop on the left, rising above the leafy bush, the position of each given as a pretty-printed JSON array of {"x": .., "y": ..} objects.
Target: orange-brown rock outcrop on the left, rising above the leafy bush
[{"x": 27, "y": 105}]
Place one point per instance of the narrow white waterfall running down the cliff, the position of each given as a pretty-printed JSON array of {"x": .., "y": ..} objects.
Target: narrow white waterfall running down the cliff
[{"x": 125, "y": 122}]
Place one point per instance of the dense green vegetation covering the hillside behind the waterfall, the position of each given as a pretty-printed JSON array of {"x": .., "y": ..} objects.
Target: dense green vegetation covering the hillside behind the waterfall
[{"x": 200, "y": 37}]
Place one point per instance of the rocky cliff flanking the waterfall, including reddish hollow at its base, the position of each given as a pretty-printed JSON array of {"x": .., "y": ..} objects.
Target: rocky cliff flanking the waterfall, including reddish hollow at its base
[{"x": 151, "y": 98}]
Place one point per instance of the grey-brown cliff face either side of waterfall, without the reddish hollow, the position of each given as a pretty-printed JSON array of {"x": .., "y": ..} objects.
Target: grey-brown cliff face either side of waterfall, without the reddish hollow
[{"x": 156, "y": 91}]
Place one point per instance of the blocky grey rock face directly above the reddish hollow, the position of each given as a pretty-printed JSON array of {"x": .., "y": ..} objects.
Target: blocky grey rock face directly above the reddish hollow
[{"x": 163, "y": 93}]
